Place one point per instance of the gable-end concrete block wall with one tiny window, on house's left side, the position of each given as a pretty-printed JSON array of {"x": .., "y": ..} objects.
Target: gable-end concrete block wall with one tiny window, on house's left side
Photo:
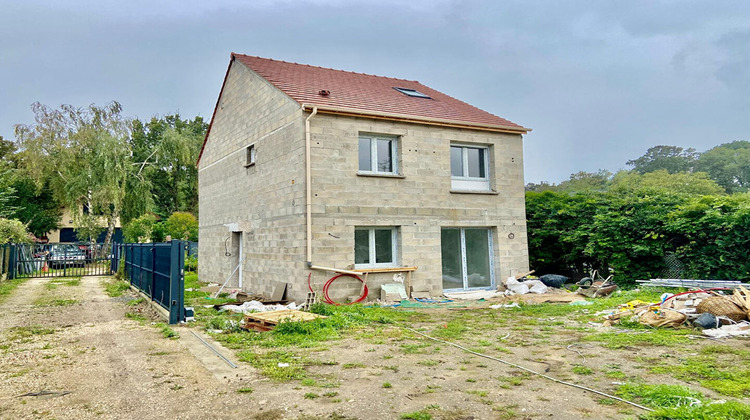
[{"x": 265, "y": 201}]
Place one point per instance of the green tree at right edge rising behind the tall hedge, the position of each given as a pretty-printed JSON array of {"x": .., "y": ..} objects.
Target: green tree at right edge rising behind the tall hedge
[{"x": 729, "y": 165}]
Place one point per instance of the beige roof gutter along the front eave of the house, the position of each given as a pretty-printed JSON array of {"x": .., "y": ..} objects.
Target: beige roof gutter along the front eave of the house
[{"x": 415, "y": 119}]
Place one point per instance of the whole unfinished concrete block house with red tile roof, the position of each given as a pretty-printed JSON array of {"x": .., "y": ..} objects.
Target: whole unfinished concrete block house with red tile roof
[{"x": 314, "y": 171}]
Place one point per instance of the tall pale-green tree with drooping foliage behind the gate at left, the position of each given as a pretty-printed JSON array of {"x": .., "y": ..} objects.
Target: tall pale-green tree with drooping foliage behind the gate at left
[{"x": 85, "y": 154}]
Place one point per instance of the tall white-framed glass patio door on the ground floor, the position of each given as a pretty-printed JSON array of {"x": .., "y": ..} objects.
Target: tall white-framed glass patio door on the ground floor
[{"x": 467, "y": 258}]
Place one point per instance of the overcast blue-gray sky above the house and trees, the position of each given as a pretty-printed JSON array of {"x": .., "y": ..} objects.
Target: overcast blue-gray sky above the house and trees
[{"x": 598, "y": 81}]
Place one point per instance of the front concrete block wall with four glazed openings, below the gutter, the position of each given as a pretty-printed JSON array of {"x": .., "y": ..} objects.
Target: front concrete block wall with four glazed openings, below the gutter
[{"x": 419, "y": 204}]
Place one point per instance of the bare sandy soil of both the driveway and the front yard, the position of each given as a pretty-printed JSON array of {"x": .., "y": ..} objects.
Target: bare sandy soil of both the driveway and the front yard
[{"x": 77, "y": 343}]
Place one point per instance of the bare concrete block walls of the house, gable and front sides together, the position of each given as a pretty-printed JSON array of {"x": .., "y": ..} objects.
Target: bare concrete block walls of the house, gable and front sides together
[{"x": 266, "y": 201}]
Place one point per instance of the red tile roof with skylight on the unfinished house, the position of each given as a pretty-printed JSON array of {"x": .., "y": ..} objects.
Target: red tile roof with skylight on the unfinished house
[{"x": 364, "y": 92}]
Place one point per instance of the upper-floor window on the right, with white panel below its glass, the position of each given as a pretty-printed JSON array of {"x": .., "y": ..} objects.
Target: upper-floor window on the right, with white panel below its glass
[{"x": 470, "y": 168}]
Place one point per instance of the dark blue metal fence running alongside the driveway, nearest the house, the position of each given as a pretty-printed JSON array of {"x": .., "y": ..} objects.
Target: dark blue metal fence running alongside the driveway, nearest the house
[{"x": 156, "y": 269}]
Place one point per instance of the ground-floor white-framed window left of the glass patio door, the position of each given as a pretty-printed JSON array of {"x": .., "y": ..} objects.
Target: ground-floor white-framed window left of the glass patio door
[{"x": 374, "y": 247}]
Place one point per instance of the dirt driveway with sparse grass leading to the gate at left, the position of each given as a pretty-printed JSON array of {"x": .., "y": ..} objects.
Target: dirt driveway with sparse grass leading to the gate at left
[{"x": 74, "y": 341}]
